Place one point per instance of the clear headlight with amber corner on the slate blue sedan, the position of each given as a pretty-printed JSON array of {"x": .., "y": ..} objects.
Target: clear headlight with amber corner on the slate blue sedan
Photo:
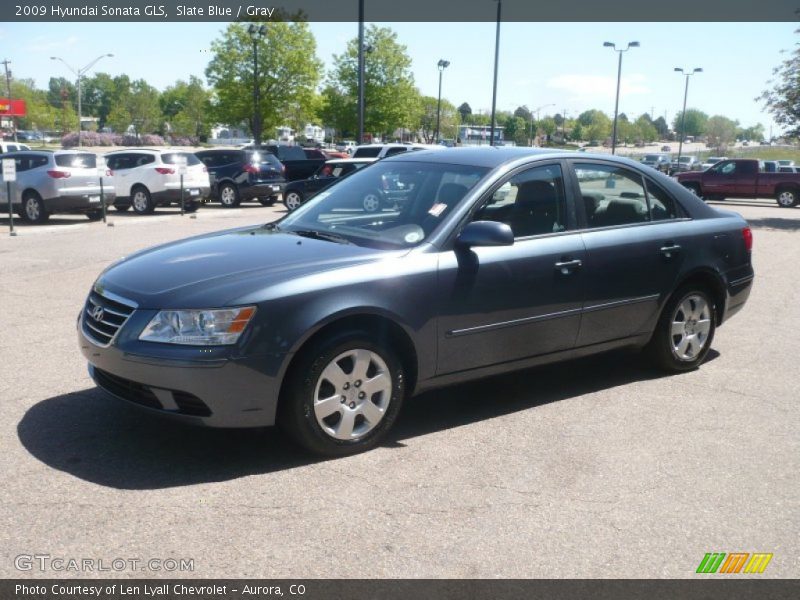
[{"x": 212, "y": 327}]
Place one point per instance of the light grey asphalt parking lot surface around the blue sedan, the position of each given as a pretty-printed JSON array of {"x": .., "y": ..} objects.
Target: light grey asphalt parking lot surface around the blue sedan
[{"x": 595, "y": 468}]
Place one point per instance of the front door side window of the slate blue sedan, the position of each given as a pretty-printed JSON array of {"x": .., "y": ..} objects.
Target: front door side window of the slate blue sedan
[{"x": 531, "y": 202}]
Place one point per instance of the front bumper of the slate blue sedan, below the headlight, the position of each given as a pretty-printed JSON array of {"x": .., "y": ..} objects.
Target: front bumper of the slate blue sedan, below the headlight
[{"x": 219, "y": 391}]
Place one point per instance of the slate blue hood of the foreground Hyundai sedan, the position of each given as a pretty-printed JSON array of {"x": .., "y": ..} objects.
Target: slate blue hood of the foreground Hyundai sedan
[{"x": 222, "y": 268}]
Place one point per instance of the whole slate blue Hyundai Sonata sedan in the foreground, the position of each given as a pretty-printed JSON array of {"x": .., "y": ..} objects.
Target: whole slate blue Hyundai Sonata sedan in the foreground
[{"x": 481, "y": 260}]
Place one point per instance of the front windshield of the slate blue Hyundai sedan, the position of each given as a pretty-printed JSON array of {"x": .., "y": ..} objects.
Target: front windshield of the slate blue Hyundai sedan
[{"x": 391, "y": 205}]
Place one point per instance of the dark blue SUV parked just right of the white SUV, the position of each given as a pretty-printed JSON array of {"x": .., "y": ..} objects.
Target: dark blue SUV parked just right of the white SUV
[{"x": 238, "y": 175}]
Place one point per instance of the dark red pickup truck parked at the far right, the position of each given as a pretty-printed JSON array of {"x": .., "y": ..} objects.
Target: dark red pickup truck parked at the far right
[{"x": 743, "y": 178}]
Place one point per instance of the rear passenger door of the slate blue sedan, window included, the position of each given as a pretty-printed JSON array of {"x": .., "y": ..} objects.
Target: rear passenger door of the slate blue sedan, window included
[{"x": 634, "y": 250}]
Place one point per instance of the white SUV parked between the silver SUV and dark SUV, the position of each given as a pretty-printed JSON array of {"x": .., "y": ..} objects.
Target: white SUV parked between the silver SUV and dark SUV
[{"x": 146, "y": 178}]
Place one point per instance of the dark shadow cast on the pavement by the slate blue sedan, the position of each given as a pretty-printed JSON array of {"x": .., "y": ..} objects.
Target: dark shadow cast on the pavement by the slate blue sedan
[{"x": 105, "y": 441}]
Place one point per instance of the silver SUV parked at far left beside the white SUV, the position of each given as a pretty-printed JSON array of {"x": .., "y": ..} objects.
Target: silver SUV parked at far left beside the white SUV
[{"x": 65, "y": 181}]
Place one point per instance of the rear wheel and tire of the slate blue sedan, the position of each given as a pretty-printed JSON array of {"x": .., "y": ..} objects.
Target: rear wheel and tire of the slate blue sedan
[{"x": 688, "y": 312}]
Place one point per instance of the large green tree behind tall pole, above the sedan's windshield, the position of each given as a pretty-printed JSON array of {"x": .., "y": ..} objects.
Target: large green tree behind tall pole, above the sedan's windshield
[{"x": 390, "y": 98}]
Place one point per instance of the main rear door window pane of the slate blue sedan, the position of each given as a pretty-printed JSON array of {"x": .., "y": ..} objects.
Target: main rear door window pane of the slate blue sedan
[{"x": 611, "y": 195}]
